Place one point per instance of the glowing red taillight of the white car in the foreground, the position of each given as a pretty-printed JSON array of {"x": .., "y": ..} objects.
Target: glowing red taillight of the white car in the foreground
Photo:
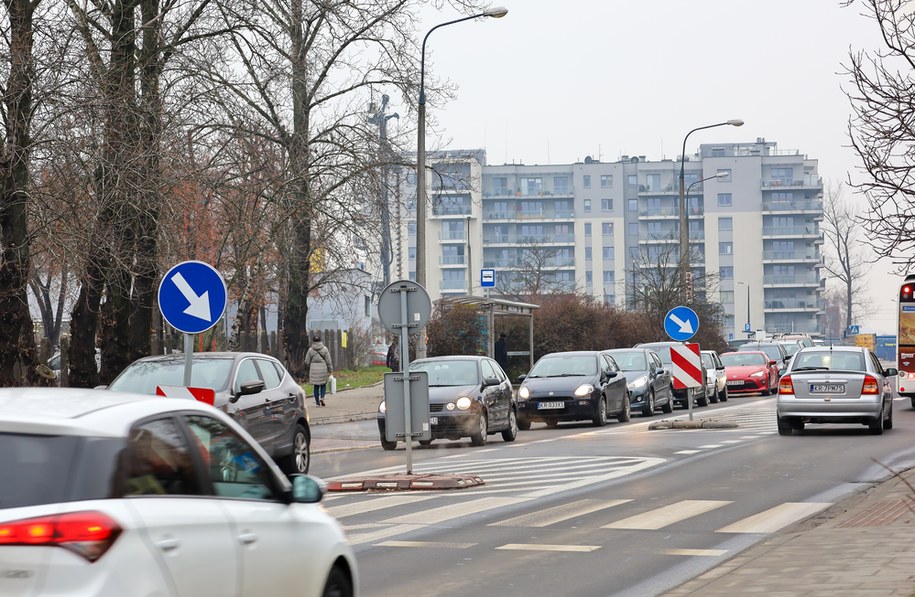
[{"x": 88, "y": 533}]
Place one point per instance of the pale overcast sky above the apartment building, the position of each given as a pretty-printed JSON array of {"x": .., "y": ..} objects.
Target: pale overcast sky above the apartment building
[{"x": 554, "y": 81}]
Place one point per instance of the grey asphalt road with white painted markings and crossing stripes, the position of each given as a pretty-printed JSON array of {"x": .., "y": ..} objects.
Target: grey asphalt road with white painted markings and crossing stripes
[{"x": 579, "y": 510}]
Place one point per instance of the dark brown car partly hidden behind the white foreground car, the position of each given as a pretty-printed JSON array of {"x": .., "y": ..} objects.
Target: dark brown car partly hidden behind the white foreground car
[{"x": 252, "y": 388}]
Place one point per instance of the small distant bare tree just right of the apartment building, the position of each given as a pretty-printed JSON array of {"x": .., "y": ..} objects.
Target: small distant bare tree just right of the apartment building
[{"x": 845, "y": 260}]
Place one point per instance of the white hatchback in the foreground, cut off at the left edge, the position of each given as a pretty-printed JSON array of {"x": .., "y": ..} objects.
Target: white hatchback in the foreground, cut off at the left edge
[{"x": 122, "y": 494}]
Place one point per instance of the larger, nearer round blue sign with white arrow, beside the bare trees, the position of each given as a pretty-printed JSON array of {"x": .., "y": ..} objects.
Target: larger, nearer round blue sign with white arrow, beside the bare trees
[{"x": 192, "y": 296}]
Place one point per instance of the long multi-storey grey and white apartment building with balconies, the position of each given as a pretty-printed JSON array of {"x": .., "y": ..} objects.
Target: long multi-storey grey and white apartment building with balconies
[{"x": 754, "y": 215}]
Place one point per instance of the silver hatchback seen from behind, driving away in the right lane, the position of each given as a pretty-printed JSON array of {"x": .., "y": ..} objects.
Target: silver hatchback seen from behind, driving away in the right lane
[{"x": 839, "y": 384}]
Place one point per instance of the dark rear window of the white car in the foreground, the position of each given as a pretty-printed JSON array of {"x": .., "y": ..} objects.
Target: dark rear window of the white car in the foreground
[{"x": 50, "y": 469}]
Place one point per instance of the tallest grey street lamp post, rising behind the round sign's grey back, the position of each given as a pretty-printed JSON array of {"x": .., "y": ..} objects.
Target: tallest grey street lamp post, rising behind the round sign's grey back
[{"x": 496, "y": 13}]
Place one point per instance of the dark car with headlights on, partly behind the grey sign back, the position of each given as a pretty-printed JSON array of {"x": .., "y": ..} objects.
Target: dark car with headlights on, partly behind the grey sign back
[{"x": 469, "y": 396}]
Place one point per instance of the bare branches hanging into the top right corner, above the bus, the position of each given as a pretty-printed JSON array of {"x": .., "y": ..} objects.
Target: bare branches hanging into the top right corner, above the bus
[{"x": 882, "y": 129}]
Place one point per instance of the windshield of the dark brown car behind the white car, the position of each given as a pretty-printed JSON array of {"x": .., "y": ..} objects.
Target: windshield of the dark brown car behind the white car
[{"x": 143, "y": 377}]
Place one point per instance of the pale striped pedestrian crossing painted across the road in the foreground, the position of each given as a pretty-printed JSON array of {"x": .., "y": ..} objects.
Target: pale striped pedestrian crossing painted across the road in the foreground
[{"x": 389, "y": 520}]
